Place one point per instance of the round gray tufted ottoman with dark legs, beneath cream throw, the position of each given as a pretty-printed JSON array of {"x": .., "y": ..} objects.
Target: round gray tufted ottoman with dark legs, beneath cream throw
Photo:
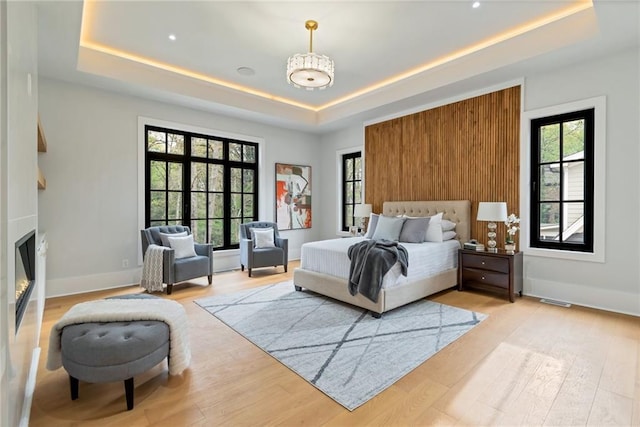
[{"x": 112, "y": 351}]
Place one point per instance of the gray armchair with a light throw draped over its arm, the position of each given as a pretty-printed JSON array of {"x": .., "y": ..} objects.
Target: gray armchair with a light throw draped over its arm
[{"x": 178, "y": 270}]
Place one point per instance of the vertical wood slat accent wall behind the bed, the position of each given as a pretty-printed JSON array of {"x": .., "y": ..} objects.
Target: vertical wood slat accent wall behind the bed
[{"x": 466, "y": 150}]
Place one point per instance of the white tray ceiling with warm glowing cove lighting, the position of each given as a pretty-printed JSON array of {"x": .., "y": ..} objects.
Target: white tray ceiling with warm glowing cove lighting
[{"x": 389, "y": 55}]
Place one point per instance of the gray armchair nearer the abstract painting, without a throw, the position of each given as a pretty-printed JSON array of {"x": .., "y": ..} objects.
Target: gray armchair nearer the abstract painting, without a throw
[{"x": 252, "y": 257}]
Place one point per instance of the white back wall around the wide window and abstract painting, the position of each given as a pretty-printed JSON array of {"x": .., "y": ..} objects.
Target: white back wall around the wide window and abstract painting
[{"x": 89, "y": 209}]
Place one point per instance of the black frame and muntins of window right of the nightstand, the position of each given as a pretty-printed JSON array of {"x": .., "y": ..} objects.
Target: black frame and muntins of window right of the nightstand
[{"x": 587, "y": 246}]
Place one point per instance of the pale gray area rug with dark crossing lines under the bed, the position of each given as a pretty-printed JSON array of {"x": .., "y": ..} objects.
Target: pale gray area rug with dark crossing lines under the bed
[{"x": 340, "y": 349}]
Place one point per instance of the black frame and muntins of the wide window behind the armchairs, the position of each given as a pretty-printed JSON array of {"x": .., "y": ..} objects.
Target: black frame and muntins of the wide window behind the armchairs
[{"x": 186, "y": 160}]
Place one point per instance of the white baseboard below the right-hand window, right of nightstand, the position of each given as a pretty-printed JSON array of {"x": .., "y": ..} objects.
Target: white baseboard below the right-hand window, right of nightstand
[{"x": 586, "y": 296}]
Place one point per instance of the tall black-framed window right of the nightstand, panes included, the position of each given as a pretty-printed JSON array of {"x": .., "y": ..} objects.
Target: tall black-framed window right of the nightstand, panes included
[{"x": 562, "y": 182}]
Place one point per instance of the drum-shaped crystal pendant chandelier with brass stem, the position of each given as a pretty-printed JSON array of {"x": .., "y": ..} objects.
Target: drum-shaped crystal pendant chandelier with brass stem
[{"x": 310, "y": 70}]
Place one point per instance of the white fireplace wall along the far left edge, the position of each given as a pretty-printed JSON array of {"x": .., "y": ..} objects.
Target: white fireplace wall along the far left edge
[{"x": 19, "y": 202}]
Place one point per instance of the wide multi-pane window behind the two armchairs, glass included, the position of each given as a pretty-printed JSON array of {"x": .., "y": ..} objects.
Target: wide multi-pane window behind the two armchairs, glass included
[{"x": 205, "y": 182}]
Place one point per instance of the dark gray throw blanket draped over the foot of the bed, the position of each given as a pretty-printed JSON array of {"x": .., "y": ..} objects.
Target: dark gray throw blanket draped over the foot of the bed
[{"x": 370, "y": 261}]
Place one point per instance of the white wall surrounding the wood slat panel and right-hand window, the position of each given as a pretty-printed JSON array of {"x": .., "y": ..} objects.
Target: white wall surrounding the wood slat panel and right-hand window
[{"x": 612, "y": 285}]
